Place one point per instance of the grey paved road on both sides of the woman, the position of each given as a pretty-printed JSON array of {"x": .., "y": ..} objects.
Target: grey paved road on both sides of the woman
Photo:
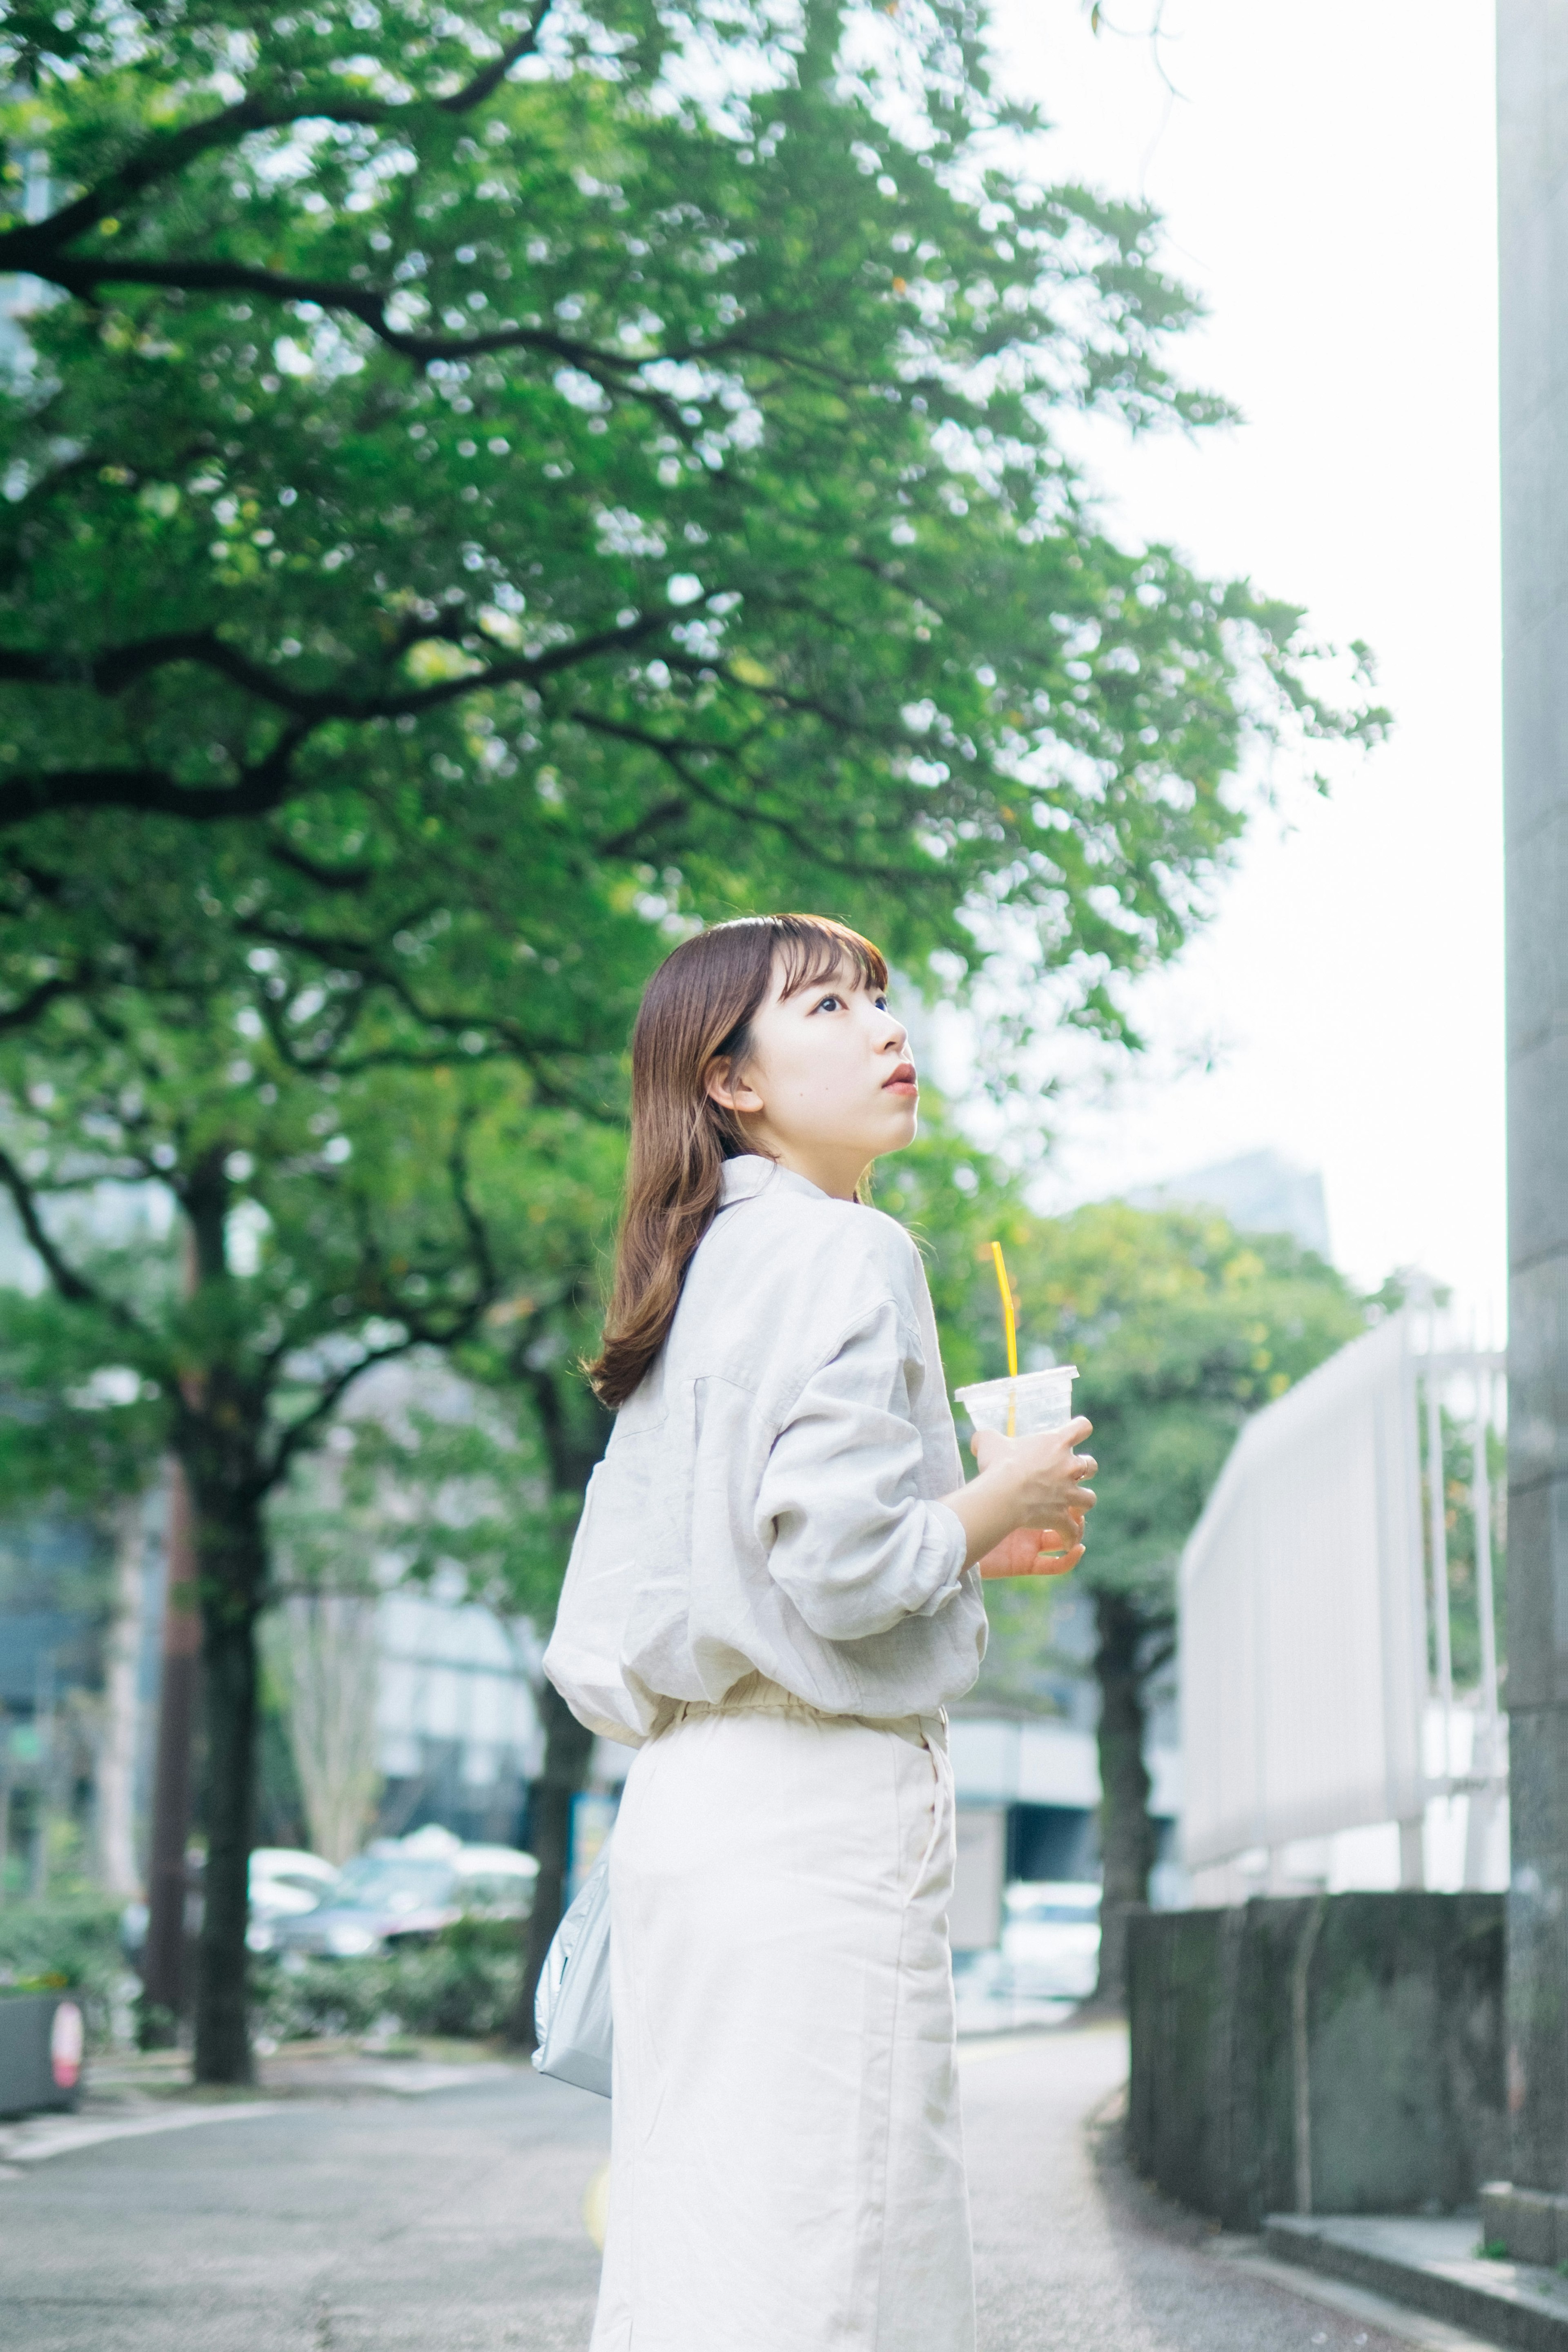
[{"x": 455, "y": 2224}]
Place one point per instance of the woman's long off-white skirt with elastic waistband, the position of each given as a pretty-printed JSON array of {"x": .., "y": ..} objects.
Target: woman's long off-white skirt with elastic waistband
[{"x": 786, "y": 2153}]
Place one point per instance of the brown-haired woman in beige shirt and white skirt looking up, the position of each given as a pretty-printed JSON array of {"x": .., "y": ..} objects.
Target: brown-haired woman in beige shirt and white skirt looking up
[{"x": 775, "y": 1593}]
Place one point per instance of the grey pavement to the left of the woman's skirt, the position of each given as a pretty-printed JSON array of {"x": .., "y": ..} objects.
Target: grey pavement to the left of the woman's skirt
[{"x": 448, "y": 2224}]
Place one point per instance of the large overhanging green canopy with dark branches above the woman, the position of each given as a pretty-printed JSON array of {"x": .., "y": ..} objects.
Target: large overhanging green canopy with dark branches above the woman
[{"x": 540, "y": 493}]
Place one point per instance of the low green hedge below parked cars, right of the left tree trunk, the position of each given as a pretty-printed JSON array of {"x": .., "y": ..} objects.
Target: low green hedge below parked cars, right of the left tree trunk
[{"x": 462, "y": 1986}]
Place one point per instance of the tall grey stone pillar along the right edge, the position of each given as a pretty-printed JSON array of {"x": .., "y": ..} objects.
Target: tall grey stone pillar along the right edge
[{"x": 1534, "y": 269}]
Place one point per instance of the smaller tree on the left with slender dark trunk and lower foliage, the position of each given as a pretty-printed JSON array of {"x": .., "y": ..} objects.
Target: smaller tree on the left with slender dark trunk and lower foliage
[{"x": 335, "y": 1222}]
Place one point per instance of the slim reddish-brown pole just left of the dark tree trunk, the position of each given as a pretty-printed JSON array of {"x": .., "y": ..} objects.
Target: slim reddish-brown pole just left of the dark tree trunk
[{"x": 163, "y": 1965}]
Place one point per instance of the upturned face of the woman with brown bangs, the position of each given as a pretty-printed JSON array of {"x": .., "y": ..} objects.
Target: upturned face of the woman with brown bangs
[{"x": 829, "y": 1083}]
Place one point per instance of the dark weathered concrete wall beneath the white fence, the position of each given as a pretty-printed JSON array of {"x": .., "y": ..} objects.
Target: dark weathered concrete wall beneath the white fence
[{"x": 1334, "y": 2054}]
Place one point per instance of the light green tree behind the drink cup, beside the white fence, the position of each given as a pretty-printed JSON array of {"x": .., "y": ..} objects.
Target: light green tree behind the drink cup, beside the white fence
[{"x": 1179, "y": 1328}]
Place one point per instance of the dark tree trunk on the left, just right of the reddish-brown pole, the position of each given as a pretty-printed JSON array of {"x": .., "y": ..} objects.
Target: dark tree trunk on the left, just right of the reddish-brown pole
[{"x": 232, "y": 1561}]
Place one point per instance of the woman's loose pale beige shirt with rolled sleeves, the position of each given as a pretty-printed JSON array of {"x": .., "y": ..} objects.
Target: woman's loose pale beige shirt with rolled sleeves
[{"x": 770, "y": 1495}]
